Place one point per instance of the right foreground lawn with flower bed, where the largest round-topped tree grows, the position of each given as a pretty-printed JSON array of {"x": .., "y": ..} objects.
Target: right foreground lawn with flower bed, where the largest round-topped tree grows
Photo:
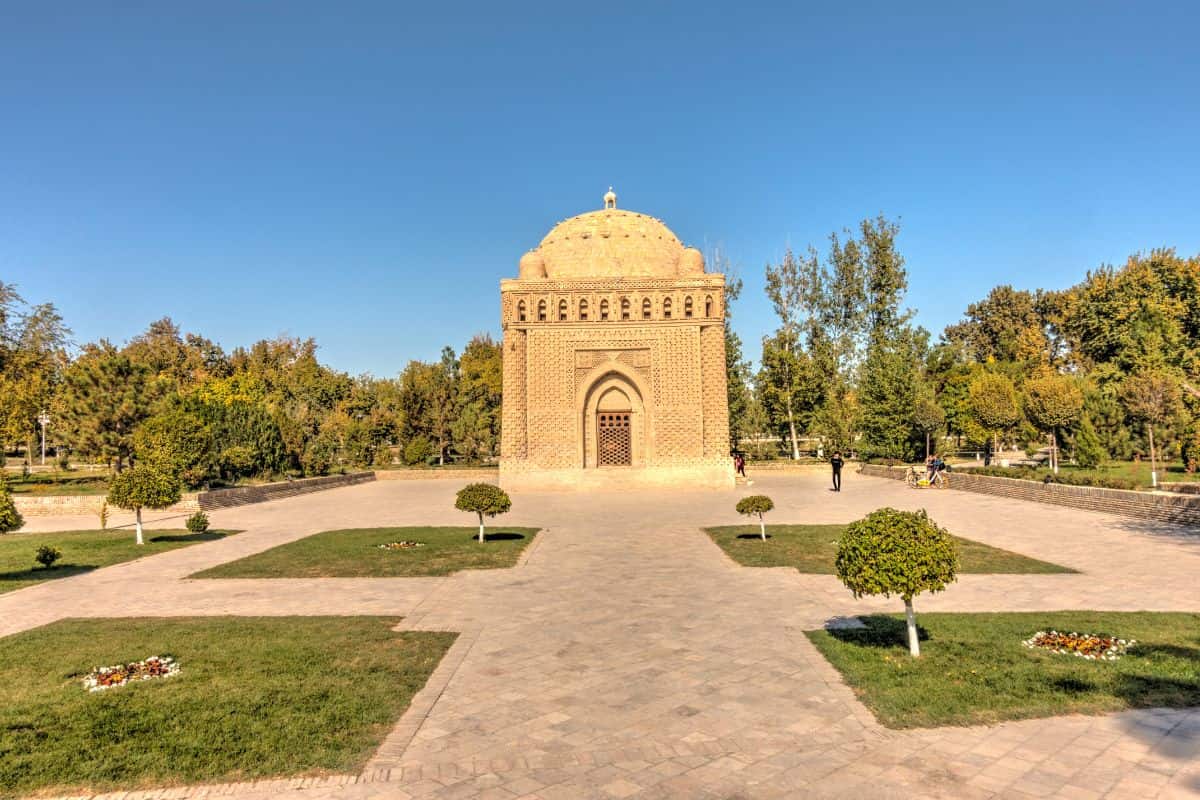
[{"x": 975, "y": 670}]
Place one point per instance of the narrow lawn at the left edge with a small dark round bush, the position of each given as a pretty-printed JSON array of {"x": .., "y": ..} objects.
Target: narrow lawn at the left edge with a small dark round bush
[{"x": 85, "y": 551}]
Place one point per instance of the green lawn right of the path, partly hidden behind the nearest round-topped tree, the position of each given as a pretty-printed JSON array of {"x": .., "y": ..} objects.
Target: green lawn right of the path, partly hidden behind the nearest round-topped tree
[{"x": 813, "y": 549}]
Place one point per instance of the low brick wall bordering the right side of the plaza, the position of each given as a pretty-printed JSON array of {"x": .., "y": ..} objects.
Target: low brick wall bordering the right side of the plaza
[{"x": 1142, "y": 506}]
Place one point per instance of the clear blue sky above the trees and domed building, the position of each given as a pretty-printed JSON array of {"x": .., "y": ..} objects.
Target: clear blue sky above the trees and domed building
[{"x": 365, "y": 173}]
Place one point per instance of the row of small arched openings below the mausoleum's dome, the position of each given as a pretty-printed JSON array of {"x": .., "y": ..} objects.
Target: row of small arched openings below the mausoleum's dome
[{"x": 614, "y": 309}]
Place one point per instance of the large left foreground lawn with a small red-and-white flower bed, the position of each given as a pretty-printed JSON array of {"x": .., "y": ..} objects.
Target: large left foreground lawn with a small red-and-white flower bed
[{"x": 255, "y": 697}]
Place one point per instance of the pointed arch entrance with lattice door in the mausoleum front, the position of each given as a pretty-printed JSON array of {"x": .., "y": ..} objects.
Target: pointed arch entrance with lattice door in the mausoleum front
[{"x": 614, "y": 422}]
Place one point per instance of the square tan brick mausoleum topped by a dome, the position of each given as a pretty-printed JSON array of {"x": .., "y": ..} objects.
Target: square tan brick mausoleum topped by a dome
[{"x": 614, "y": 359}]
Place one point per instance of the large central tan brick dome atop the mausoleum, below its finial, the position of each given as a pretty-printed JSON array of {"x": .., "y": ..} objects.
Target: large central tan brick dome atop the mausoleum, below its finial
[{"x": 608, "y": 244}]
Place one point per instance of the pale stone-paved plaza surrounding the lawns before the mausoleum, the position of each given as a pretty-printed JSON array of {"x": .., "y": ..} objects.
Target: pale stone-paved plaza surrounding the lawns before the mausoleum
[{"x": 627, "y": 657}]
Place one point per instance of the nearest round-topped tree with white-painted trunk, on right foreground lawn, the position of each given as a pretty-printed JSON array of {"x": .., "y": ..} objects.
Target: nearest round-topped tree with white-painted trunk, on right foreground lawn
[{"x": 903, "y": 554}]
